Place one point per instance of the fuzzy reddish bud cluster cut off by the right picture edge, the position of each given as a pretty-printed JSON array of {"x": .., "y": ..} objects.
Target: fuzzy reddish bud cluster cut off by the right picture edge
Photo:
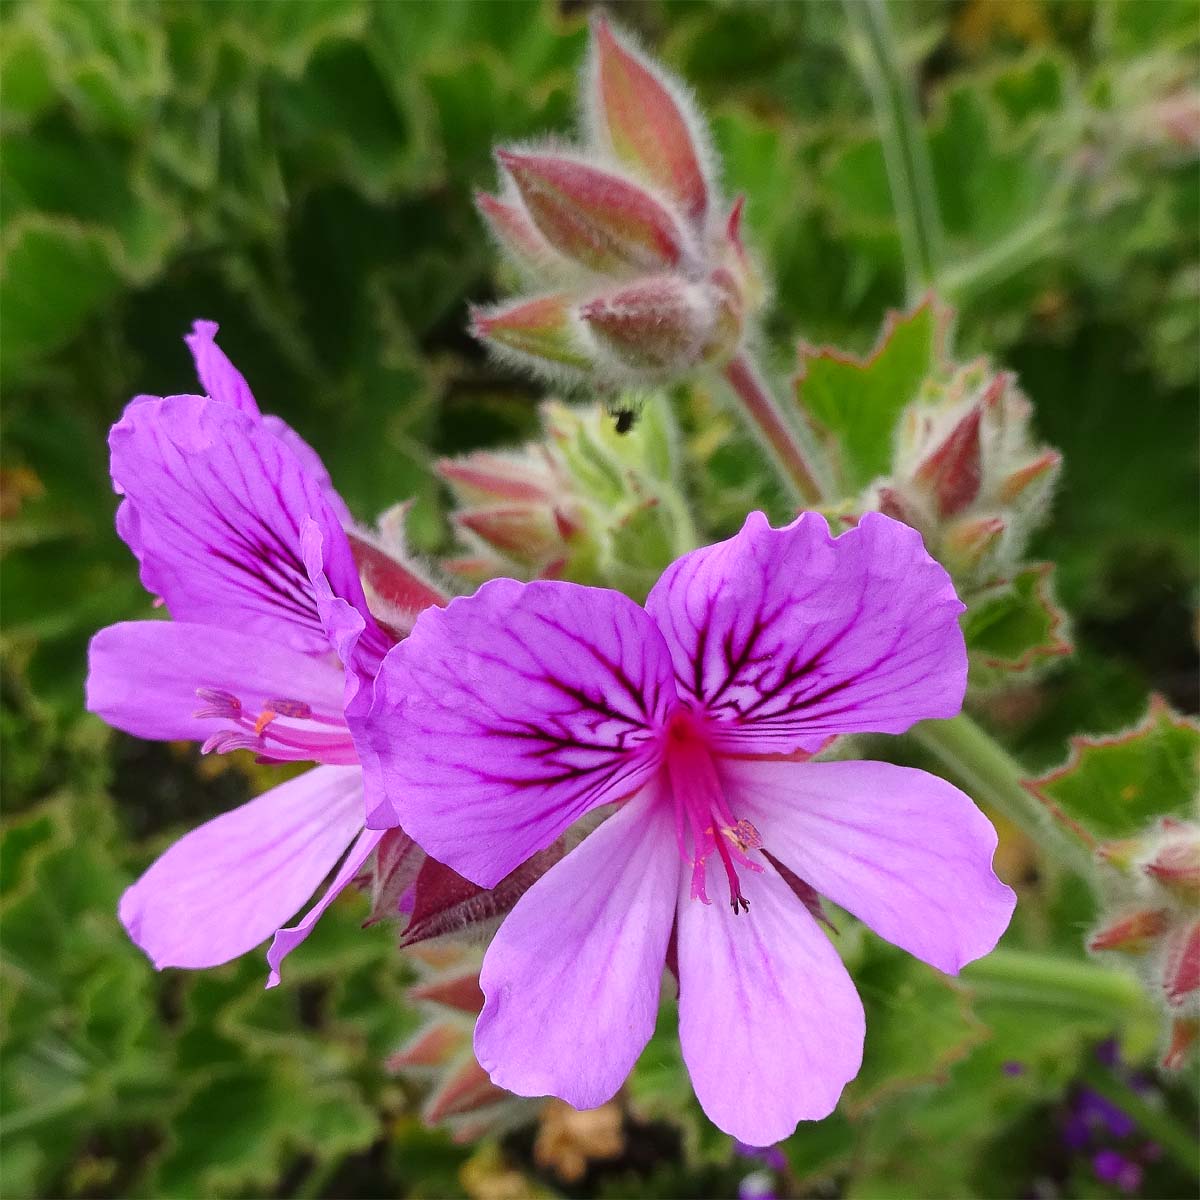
[{"x": 1156, "y": 922}]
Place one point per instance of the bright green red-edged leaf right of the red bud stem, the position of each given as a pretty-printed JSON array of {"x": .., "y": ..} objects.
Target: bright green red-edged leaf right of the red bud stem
[{"x": 855, "y": 404}]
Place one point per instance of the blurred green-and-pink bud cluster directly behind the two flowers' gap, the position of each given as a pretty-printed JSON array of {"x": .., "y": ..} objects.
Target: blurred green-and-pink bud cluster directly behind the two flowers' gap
[{"x": 586, "y": 505}]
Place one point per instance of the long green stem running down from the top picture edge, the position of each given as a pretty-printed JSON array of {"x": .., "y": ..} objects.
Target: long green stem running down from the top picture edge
[{"x": 903, "y": 137}]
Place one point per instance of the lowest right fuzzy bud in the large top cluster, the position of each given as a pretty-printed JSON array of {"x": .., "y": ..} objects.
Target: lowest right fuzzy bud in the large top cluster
[{"x": 661, "y": 323}]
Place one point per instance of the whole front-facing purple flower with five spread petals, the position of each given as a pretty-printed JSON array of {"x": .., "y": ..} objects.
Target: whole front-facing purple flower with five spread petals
[{"x": 508, "y": 716}]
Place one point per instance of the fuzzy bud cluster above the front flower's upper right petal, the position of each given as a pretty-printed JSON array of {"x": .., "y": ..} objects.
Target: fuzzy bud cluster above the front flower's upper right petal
[{"x": 968, "y": 473}]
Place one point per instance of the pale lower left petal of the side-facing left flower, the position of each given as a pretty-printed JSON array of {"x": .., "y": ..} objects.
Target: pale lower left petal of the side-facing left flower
[{"x": 230, "y": 885}]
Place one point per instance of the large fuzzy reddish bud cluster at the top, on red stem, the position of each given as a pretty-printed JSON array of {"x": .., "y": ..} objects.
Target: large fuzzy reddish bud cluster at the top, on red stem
[{"x": 639, "y": 274}]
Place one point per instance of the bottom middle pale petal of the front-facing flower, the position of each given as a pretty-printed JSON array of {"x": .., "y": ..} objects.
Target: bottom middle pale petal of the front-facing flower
[{"x": 771, "y": 1025}]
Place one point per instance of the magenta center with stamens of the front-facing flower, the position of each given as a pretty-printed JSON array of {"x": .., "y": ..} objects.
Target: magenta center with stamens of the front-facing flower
[{"x": 706, "y": 826}]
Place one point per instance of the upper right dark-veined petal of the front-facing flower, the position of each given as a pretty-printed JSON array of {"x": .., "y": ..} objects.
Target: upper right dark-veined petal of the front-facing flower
[{"x": 788, "y": 637}]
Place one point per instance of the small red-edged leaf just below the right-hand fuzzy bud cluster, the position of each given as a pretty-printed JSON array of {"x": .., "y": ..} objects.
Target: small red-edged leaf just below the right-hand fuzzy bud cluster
[{"x": 1016, "y": 628}]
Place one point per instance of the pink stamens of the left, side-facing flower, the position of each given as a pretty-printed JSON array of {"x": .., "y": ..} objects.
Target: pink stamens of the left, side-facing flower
[{"x": 283, "y": 729}]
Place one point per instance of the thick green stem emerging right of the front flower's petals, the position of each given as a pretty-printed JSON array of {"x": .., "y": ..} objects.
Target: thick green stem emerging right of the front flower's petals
[{"x": 992, "y": 776}]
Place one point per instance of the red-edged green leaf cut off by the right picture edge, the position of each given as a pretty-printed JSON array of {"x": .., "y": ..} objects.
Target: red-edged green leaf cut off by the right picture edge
[{"x": 1115, "y": 787}]
